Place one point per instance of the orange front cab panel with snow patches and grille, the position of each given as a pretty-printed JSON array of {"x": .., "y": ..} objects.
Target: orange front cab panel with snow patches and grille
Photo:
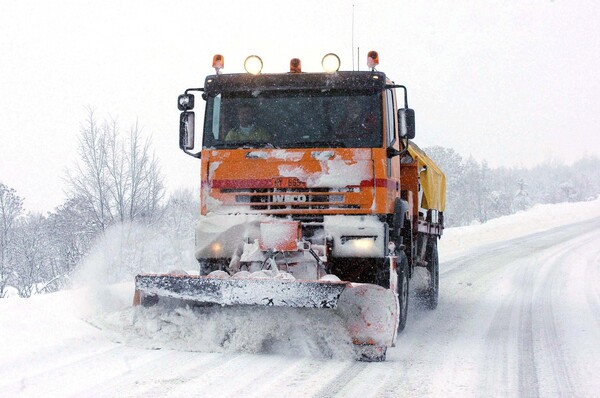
[{"x": 298, "y": 181}]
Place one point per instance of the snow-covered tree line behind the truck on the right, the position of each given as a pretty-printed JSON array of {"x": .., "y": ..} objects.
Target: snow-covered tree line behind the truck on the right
[{"x": 476, "y": 193}]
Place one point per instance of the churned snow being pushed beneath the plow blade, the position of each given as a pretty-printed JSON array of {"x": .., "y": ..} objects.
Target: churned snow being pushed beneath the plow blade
[{"x": 260, "y": 330}]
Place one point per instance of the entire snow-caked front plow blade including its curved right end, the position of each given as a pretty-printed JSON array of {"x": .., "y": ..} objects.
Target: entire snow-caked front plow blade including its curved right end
[{"x": 370, "y": 312}]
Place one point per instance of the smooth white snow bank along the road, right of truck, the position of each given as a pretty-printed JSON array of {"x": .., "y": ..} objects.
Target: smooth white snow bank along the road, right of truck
[{"x": 539, "y": 218}]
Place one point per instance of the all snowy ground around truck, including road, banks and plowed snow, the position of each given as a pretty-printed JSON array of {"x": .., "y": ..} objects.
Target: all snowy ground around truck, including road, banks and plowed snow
[{"x": 519, "y": 315}]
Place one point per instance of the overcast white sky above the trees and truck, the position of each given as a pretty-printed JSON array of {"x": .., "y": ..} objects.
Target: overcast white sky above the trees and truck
[{"x": 512, "y": 82}]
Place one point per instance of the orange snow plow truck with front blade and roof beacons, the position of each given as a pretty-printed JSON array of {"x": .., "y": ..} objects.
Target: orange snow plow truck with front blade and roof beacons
[{"x": 312, "y": 196}]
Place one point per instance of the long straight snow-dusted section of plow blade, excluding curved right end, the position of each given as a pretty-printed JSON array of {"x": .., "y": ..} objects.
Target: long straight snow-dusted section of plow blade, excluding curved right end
[{"x": 268, "y": 292}]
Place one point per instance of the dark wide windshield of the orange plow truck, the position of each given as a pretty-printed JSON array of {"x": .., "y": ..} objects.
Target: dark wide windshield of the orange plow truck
[{"x": 294, "y": 119}]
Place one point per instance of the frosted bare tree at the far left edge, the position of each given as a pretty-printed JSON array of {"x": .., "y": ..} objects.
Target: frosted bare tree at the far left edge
[{"x": 11, "y": 207}]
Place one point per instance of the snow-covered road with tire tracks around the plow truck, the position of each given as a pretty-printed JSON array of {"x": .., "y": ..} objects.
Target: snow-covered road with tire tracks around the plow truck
[{"x": 520, "y": 317}]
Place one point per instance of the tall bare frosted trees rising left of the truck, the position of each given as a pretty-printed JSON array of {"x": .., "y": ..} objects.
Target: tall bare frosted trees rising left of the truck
[{"x": 118, "y": 179}]
